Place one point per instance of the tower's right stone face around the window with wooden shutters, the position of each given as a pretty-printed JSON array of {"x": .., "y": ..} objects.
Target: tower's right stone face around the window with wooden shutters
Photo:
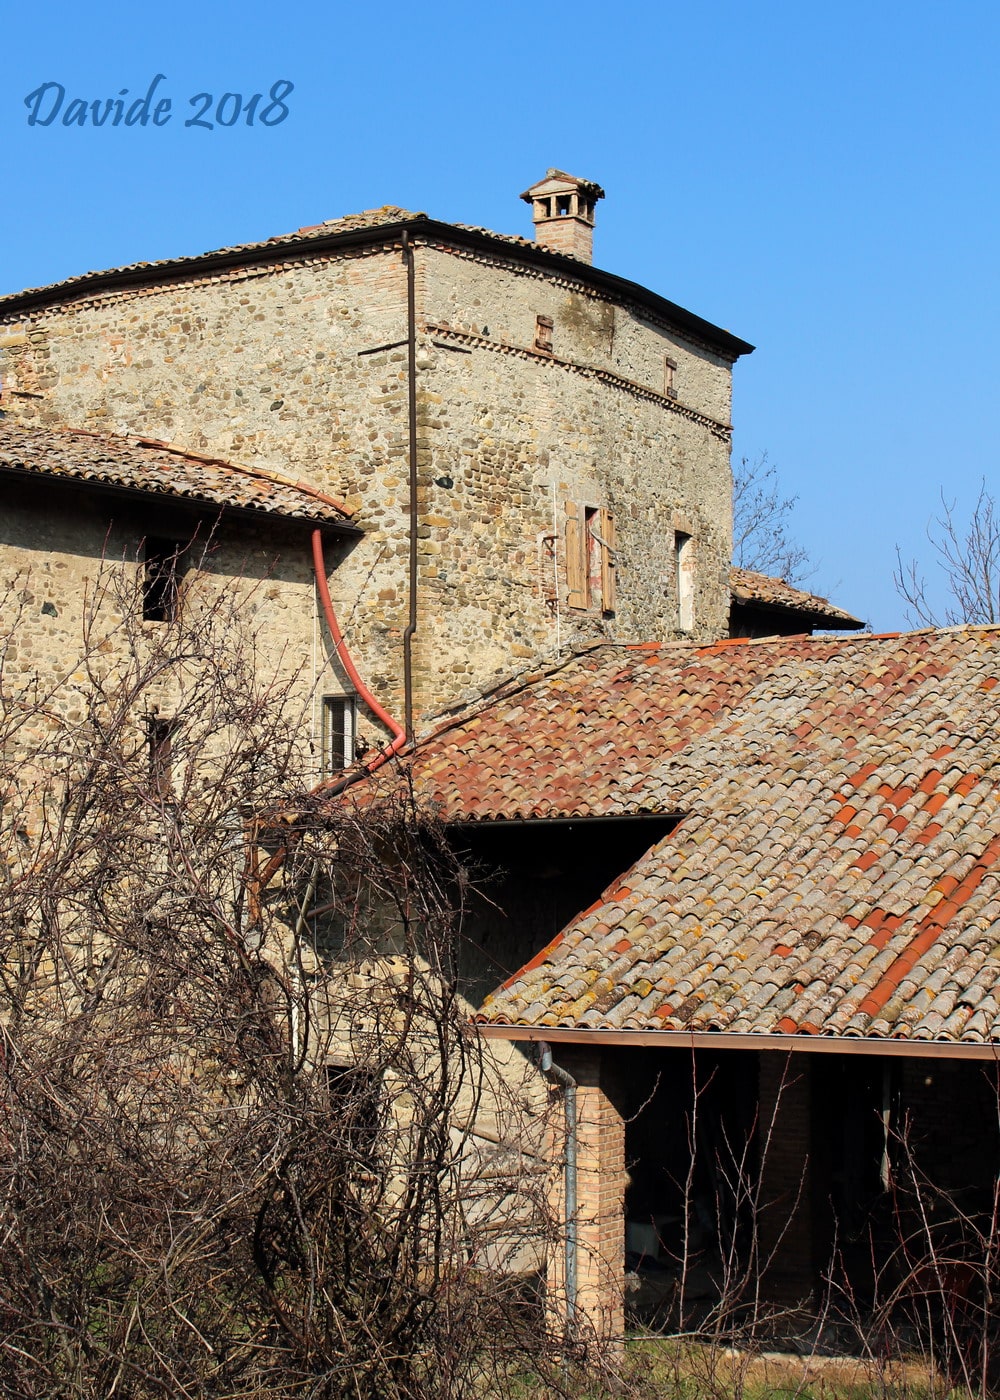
[{"x": 522, "y": 432}]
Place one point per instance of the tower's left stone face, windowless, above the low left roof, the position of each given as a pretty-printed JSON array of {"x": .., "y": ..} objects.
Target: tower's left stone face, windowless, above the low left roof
[{"x": 261, "y": 367}]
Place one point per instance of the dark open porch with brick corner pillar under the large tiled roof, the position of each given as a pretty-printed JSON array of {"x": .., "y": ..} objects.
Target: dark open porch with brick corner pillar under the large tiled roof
[{"x": 796, "y": 1191}]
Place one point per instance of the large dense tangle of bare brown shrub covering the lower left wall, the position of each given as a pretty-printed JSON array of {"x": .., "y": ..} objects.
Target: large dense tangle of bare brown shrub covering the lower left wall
[{"x": 247, "y": 1149}]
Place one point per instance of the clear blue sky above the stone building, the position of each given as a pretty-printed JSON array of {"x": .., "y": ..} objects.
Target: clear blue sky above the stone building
[{"x": 820, "y": 180}]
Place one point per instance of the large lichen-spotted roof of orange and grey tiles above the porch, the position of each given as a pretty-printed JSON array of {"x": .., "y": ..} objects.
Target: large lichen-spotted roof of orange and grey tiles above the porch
[{"x": 837, "y": 869}]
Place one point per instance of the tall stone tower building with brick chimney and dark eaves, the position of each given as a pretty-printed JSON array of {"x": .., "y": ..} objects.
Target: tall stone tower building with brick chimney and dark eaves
[{"x": 537, "y": 451}]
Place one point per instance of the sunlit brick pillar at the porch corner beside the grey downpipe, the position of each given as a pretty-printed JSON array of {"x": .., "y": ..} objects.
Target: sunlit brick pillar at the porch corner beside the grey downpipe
[{"x": 600, "y": 1203}]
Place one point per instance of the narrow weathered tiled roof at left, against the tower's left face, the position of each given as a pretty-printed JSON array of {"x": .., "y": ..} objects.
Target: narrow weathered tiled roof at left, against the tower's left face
[{"x": 138, "y": 464}]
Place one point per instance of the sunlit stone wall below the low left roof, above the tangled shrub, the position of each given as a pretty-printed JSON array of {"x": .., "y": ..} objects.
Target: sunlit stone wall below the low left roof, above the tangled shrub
[{"x": 71, "y": 568}]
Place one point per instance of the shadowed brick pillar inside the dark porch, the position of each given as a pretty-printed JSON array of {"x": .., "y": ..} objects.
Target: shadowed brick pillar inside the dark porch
[{"x": 785, "y": 1213}]
